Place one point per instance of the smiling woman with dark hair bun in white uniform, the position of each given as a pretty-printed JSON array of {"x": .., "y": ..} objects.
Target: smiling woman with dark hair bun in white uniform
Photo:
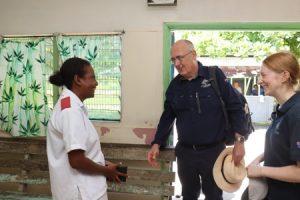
[{"x": 77, "y": 167}]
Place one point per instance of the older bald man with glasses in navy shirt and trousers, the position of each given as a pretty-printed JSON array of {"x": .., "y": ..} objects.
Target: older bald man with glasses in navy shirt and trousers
[{"x": 200, "y": 123}]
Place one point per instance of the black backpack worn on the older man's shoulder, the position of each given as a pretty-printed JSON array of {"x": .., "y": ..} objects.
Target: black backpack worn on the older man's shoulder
[{"x": 229, "y": 139}]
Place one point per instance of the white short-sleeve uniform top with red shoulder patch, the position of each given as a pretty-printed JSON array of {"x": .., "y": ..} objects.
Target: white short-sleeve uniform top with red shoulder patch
[{"x": 69, "y": 128}]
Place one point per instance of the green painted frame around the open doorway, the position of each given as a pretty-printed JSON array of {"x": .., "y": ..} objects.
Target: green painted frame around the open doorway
[{"x": 168, "y": 27}]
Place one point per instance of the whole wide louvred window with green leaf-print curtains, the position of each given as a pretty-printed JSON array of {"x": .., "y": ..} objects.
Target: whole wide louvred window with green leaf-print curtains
[{"x": 26, "y": 64}]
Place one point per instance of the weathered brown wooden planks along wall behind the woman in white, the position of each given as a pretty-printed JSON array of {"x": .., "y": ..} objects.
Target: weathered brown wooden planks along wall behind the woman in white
[{"x": 24, "y": 164}]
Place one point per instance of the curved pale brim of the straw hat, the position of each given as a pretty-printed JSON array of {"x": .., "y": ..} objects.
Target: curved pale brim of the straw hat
[{"x": 217, "y": 174}]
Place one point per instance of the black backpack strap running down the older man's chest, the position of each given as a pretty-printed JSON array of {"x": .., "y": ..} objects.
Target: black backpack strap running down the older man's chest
[{"x": 214, "y": 83}]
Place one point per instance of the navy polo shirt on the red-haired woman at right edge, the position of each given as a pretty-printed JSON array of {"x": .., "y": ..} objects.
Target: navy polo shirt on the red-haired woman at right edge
[{"x": 282, "y": 146}]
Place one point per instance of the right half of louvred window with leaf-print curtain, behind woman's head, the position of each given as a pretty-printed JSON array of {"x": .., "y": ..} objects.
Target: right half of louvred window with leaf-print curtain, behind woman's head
[{"x": 104, "y": 54}]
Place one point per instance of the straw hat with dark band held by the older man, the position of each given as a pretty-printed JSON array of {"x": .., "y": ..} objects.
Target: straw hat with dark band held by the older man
[{"x": 227, "y": 176}]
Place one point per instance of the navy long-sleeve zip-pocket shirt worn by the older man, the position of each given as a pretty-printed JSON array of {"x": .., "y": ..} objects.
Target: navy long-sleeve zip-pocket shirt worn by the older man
[{"x": 198, "y": 111}]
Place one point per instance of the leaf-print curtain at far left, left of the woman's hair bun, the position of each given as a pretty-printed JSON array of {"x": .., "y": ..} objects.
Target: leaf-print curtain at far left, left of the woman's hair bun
[{"x": 25, "y": 65}]
